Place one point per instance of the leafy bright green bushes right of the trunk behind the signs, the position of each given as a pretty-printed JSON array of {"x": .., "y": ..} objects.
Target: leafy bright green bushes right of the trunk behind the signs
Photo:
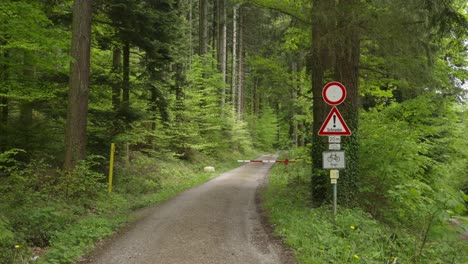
[{"x": 411, "y": 157}]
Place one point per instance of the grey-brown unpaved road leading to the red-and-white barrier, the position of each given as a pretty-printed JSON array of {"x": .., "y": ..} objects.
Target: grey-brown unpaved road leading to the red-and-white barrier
[{"x": 217, "y": 222}]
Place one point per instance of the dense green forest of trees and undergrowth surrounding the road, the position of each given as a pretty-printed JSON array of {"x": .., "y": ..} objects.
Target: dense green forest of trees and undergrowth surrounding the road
[{"x": 181, "y": 84}]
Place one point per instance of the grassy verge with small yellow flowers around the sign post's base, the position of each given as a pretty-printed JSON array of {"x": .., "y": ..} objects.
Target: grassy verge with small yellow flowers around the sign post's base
[{"x": 355, "y": 236}]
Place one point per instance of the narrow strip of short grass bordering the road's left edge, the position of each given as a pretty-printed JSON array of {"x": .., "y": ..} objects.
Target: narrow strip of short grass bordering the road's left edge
[{"x": 174, "y": 177}]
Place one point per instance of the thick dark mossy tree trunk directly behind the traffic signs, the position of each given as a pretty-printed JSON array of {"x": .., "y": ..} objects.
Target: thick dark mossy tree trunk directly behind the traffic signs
[{"x": 335, "y": 57}]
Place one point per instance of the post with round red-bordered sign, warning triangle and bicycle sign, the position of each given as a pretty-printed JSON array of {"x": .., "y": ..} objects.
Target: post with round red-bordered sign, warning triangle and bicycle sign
[{"x": 334, "y": 93}]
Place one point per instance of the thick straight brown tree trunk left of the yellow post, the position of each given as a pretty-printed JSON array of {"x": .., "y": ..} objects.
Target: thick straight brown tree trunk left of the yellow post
[{"x": 75, "y": 132}]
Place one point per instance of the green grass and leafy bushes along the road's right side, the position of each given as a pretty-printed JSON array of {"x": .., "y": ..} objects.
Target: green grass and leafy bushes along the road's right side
[{"x": 413, "y": 163}]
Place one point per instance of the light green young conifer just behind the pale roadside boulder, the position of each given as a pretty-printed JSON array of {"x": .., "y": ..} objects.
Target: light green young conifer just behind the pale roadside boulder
[{"x": 199, "y": 122}]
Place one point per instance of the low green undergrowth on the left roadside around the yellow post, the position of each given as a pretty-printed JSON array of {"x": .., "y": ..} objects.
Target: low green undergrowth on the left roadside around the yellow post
[{"x": 49, "y": 216}]
